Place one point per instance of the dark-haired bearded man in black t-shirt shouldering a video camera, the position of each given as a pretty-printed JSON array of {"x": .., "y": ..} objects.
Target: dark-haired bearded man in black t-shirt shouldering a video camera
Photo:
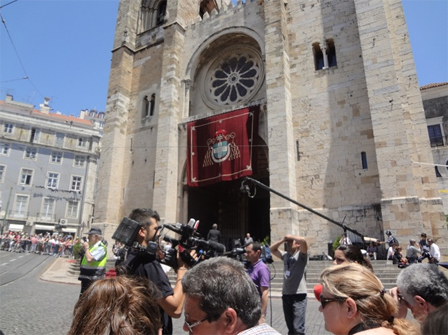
[{"x": 148, "y": 266}]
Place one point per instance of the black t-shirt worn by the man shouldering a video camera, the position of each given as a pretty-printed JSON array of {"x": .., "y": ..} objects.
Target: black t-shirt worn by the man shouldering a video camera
[{"x": 148, "y": 267}]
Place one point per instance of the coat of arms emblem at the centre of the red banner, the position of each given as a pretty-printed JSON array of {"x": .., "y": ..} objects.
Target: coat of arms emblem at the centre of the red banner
[{"x": 220, "y": 148}]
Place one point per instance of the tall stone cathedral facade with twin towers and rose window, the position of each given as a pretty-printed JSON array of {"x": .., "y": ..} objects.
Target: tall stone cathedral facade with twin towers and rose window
[{"x": 341, "y": 126}]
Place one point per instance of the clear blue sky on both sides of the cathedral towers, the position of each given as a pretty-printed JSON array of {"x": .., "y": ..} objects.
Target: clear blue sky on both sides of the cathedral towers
[{"x": 65, "y": 49}]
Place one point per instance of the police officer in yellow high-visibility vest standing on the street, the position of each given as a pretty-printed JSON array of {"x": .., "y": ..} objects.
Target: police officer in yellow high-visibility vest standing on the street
[{"x": 93, "y": 264}]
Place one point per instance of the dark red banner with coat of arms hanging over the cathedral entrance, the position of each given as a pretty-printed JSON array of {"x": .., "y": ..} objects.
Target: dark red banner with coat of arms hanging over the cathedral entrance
[{"x": 221, "y": 147}]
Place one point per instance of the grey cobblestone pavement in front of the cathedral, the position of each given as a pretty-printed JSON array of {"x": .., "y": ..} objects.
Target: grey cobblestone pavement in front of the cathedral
[{"x": 33, "y": 306}]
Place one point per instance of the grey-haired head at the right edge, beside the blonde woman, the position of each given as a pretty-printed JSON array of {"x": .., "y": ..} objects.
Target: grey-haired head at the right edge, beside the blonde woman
[{"x": 423, "y": 287}]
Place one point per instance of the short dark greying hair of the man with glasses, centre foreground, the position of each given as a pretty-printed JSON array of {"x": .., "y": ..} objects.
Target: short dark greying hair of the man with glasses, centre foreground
[{"x": 220, "y": 283}]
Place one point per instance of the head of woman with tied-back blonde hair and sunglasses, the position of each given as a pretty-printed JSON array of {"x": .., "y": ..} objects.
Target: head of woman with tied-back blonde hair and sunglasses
[{"x": 352, "y": 294}]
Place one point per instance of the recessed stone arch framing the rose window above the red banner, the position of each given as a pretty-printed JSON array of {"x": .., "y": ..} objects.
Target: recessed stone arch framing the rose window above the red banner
[{"x": 239, "y": 49}]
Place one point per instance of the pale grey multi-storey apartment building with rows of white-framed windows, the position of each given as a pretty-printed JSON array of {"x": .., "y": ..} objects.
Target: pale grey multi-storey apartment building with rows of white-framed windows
[{"x": 48, "y": 166}]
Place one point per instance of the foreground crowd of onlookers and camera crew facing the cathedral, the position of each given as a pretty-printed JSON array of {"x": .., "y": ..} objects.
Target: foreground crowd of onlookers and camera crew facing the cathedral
[{"x": 221, "y": 295}]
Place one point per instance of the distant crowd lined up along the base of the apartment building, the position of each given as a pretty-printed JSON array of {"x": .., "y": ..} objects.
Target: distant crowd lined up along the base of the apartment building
[{"x": 60, "y": 245}]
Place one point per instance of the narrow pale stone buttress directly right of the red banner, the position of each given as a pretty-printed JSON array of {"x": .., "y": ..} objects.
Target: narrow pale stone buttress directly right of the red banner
[{"x": 284, "y": 216}]
